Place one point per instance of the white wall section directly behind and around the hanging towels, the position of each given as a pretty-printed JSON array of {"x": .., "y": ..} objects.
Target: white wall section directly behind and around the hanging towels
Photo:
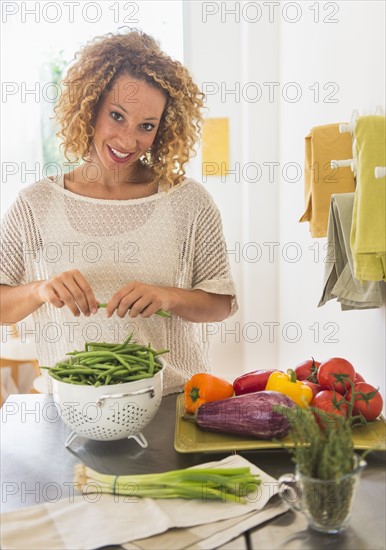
[{"x": 350, "y": 53}]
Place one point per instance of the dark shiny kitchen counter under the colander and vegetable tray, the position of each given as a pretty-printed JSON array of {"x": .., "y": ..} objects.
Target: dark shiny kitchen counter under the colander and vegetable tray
[{"x": 37, "y": 467}]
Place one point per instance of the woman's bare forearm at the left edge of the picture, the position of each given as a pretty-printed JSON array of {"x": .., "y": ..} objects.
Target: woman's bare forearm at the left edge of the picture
[{"x": 17, "y": 302}]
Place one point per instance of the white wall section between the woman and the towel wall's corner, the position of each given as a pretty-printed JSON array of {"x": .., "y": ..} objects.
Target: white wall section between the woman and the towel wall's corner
[{"x": 225, "y": 56}]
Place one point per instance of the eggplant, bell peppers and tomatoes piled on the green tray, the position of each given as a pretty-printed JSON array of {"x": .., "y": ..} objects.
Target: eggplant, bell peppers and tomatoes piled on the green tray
[{"x": 331, "y": 388}]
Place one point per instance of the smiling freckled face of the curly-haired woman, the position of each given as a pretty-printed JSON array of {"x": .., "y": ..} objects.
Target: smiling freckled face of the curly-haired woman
[{"x": 126, "y": 124}]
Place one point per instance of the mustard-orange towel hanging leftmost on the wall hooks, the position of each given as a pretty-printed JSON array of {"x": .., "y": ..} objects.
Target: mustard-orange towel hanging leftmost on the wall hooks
[{"x": 324, "y": 144}]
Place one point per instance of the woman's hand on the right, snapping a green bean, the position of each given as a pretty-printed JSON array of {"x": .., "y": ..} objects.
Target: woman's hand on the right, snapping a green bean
[{"x": 140, "y": 299}]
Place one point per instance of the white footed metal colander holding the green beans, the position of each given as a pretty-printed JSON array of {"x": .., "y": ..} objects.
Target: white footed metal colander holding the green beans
[{"x": 109, "y": 412}]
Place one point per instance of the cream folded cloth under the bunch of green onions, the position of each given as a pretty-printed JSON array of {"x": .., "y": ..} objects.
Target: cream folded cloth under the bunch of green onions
[{"x": 95, "y": 520}]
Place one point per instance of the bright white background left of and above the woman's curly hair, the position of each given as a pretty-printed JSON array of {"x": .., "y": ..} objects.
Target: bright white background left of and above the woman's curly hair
[{"x": 45, "y": 27}]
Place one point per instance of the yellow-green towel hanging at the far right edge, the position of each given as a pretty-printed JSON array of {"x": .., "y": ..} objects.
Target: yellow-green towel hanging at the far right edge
[{"x": 368, "y": 230}]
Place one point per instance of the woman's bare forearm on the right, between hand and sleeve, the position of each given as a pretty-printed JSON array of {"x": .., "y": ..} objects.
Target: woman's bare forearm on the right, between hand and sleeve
[{"x": 199, "y": 306}]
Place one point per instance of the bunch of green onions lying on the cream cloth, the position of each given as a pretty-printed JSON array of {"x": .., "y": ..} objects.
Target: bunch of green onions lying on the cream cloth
[{"x": 232, "y": 484}]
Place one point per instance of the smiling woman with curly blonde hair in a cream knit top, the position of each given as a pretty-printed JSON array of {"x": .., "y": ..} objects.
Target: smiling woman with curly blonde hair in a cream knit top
[{"x": 125, "y": 227}]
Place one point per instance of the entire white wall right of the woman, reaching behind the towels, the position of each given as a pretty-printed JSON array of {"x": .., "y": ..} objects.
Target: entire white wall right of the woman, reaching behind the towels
[{"x": 291, "y": 43}]
